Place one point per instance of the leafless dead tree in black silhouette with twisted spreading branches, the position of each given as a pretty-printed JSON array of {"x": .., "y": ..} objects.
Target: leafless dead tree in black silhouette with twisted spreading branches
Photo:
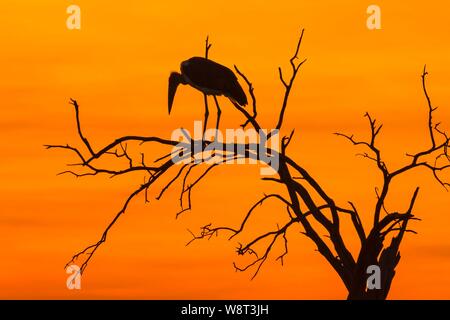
[{"x": 307, "y": 203}]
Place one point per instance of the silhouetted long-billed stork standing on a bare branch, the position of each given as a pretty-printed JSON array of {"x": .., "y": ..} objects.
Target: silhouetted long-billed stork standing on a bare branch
[{"x": 210, "y": 78}]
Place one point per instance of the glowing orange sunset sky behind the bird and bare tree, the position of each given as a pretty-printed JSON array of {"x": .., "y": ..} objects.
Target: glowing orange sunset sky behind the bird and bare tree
[{"x": 117, "y": 66}]
